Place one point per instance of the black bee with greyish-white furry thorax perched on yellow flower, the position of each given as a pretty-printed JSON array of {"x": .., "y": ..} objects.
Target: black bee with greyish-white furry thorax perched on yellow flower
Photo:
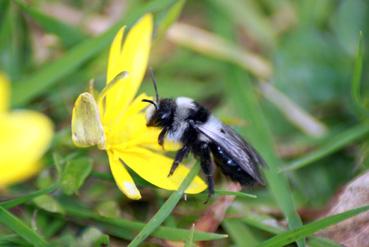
[{"x": 184, "y": 121}]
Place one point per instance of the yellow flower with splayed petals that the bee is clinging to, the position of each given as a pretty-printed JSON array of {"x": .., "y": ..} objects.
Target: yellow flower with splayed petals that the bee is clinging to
[{"x": 115, "y": 121}]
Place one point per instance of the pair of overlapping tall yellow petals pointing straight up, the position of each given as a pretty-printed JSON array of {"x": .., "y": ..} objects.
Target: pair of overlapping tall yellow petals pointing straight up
[{"x": 132, "y": 57}]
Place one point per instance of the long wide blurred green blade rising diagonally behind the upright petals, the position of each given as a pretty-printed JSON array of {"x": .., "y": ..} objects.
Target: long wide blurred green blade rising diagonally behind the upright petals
[{"x": 31, "y": 86}]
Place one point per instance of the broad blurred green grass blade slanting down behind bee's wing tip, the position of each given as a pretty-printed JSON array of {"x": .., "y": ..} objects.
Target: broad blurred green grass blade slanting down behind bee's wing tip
[{"x": 259, "y": 135}]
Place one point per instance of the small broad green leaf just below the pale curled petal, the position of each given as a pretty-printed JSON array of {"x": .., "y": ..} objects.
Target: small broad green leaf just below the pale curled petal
[{"x": 74, "y": 174}]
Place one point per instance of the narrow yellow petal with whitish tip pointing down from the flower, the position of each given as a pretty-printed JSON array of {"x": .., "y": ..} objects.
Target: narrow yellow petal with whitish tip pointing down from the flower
[{"x": 122, "y": 178}]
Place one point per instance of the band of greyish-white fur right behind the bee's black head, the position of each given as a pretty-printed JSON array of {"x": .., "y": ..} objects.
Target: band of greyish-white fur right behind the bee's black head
[{"x": 183, "y": 107}]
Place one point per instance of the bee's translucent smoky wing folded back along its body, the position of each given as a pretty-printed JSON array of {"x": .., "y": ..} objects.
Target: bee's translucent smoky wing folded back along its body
[{"x": 243, "y": 153}]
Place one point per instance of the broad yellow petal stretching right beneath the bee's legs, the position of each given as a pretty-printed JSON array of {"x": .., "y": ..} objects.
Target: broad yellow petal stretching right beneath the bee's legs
[{"x": 154, "y": 168}]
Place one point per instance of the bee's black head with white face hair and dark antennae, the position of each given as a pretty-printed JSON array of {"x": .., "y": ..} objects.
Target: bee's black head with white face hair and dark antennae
[{"x": 160, "y": 112}]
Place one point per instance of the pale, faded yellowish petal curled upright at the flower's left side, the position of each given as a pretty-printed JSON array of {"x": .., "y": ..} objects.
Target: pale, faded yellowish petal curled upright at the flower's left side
[{"x": 86, "y": 125}]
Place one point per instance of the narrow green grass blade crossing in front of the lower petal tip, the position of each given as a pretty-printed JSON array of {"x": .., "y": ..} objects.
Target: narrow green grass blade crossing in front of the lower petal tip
[{"x": 165, "y": 209}]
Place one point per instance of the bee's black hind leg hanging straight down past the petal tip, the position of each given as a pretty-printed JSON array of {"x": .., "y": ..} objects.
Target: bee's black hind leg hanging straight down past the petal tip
[{"x": 207, "y": 168}]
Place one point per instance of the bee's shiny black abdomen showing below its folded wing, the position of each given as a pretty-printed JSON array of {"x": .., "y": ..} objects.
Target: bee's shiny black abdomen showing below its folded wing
[{"x": 229, "y": 166}]
